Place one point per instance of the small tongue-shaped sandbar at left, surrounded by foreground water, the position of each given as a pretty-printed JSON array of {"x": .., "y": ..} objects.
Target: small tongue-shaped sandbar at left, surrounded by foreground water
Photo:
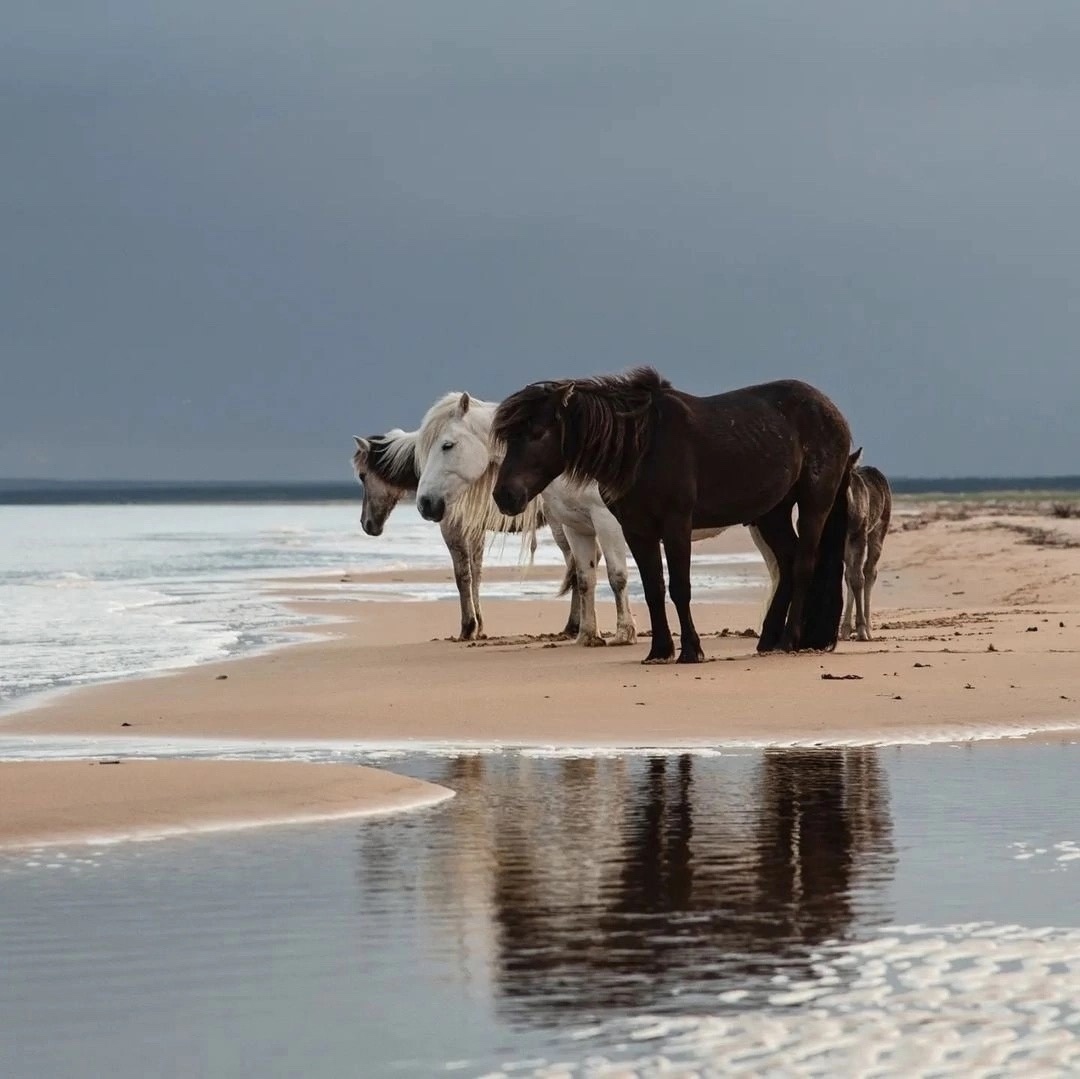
[{"x": 44, "y": 803}]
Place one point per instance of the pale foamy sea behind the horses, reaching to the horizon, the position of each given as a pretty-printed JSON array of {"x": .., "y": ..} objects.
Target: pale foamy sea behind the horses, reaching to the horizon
[{"x": 93, "y": 592}]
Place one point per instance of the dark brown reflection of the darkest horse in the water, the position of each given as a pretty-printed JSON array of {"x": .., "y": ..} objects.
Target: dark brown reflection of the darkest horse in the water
[{"x": 693, "y": 901}]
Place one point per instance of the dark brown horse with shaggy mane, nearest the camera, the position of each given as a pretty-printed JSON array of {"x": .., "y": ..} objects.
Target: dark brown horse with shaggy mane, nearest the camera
[{"x": 668, "y": 463}]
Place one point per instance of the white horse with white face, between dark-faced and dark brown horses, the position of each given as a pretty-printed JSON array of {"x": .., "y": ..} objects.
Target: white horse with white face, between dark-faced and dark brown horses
[{"x": 458, "y": 465}]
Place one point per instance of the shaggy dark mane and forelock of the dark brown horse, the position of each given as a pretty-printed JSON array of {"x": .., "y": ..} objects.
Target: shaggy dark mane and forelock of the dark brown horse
[{"x": 607, "y": 423}]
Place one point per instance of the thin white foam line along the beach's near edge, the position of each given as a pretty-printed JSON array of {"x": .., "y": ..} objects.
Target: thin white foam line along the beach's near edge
[{"x": 16, "y": 748}]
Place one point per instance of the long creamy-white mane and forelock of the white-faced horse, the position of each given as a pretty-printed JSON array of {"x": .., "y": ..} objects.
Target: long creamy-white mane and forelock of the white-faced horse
[{"x": 476, "y": 512}]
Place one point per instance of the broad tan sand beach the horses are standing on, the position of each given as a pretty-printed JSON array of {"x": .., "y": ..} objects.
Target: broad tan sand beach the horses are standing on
[{"x": 978, "y": 635}]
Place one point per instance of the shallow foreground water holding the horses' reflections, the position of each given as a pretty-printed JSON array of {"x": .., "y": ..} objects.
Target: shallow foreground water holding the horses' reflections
[{"x": 860, "y": 912}]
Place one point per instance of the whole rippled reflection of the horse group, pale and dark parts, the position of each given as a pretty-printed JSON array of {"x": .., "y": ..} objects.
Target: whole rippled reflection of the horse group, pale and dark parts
[{"x": 577, "y": 888}]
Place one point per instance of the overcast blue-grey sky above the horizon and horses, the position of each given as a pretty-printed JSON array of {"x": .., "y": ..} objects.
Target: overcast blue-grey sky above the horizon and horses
[{"x": 236, "y": 234}]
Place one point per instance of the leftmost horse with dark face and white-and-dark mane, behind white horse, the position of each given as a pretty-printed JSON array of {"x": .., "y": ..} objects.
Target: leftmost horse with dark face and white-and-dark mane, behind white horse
[{"x": 386, "y": 467}]
